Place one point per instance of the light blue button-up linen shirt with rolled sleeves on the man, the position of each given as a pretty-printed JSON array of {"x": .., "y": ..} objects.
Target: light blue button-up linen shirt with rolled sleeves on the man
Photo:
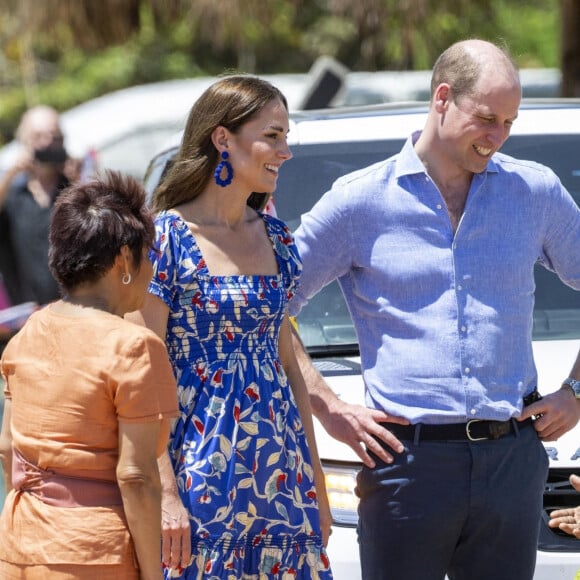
[{"x": 444, "y": 321}]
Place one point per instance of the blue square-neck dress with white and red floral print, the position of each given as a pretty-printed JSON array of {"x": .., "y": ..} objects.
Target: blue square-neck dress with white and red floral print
[{"x": 238, "y": 448}]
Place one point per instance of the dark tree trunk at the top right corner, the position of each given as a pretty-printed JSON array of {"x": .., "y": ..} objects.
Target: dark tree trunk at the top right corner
[{"x": 570, "y": 48}]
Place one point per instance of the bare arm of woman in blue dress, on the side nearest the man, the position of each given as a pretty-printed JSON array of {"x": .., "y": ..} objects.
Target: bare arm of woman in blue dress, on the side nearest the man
[{"x": 302, "y": 399}]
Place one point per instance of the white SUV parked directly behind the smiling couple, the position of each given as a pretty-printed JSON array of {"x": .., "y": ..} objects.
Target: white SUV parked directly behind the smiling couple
[{"x": 327, "y": 144}]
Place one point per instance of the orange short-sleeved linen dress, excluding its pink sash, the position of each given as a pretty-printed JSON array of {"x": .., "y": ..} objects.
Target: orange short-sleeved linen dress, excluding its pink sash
[{"x": 71, "y": 381}]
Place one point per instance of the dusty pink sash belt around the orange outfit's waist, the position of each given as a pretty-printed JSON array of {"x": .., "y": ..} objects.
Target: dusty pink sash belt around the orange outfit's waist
[{"x": 61, "y": 490}]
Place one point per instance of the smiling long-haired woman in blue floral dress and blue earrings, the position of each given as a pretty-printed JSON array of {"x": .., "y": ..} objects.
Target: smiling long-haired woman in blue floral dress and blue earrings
[{"x": 243, "y": 489}]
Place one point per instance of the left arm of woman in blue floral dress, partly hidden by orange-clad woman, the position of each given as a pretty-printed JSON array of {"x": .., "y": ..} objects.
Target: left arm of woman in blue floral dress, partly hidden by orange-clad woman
[{"x": 176, "y": 532}]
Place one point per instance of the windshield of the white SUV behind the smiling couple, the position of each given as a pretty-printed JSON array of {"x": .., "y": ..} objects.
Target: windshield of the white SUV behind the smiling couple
[{"x": 325, "y": 323}]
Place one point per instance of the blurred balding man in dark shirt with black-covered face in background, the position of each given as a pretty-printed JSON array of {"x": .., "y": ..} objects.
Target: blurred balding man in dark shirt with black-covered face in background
[{"x": 28, "y": 191}]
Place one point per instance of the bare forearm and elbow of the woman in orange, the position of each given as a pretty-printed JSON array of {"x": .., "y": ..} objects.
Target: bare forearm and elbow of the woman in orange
[{"x": 138, "y": 479}]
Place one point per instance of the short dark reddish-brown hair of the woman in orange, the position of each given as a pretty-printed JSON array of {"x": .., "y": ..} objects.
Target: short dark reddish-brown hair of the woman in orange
[{"x": 90, "y": 223}]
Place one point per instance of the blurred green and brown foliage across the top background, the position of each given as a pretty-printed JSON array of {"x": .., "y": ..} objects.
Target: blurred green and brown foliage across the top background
[{"x": 64, "y": 52}]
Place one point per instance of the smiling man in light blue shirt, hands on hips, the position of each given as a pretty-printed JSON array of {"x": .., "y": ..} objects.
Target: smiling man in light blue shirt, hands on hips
[{"x": 434, "y": 250}]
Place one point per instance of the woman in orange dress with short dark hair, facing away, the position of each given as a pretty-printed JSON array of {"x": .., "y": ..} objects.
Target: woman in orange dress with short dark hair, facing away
[{"x": 88, "y": 399}]
